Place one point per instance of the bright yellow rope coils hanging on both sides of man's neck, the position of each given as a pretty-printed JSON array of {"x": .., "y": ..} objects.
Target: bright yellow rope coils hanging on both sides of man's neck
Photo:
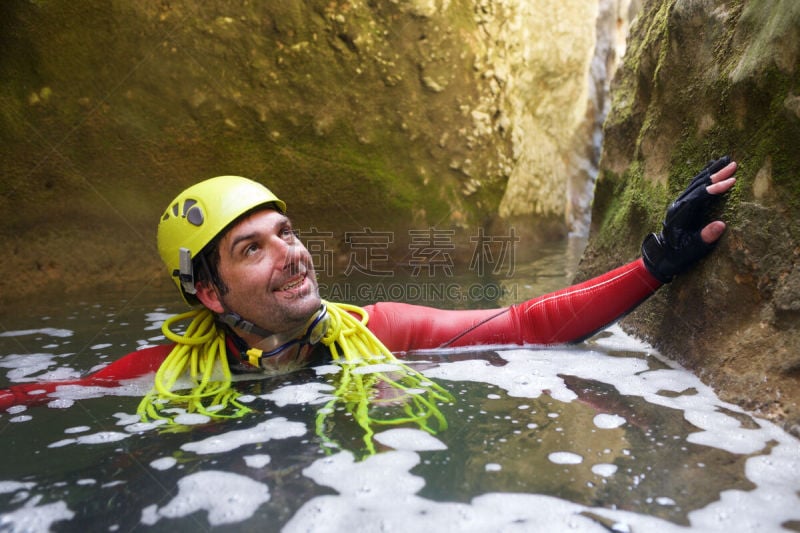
[{"x": 201, "y": 351}]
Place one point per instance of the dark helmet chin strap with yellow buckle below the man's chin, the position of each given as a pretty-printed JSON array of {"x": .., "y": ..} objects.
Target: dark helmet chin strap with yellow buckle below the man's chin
[{"x": 273, "y": 343}]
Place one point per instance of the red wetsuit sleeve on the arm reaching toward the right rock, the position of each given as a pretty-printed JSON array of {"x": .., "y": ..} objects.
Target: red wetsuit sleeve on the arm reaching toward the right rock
[{"x": 568, "y": 315}]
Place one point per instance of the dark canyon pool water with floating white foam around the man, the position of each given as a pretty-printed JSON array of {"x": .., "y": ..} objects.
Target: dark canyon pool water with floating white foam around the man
[{"x": 599, "y": 436}]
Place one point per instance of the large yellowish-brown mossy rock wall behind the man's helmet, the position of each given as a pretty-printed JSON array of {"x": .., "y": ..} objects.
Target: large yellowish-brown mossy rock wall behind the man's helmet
[{"x": 381, "y": 115}]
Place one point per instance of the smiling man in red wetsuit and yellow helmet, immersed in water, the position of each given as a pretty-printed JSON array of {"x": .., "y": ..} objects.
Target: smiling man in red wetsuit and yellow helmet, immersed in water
[{"x": 229, "y": 246}]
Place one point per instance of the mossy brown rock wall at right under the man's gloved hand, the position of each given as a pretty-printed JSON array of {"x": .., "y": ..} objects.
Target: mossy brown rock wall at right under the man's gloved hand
[{"x": 702, "y": 79}]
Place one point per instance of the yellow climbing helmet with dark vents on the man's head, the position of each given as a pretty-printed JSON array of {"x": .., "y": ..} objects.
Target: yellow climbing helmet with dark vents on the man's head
[{"x": 199, "y": 214}]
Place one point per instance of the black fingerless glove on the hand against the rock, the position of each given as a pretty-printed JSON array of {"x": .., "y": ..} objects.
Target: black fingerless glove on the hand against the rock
[{"x": 679, "y": 244}]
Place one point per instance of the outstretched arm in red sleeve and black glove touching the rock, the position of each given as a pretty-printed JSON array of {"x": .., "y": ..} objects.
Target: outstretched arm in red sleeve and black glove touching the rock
[{"x": 576, "y": 312}]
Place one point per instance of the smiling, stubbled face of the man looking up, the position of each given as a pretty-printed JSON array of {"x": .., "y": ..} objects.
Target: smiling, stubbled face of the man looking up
[{"x": 269, "y": 274}]
